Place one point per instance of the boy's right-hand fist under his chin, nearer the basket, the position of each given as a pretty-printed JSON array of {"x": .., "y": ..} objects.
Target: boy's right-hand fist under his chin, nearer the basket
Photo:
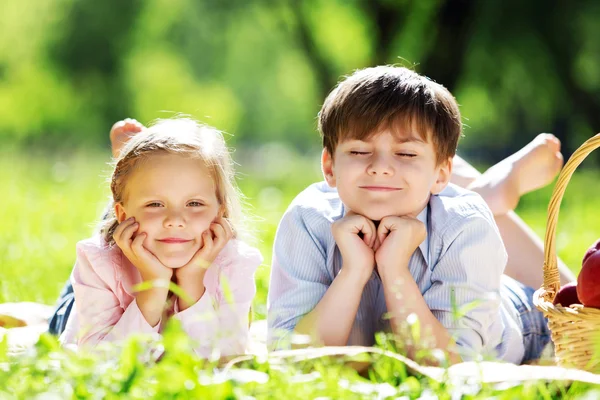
[{"x": 399, "y": 237}]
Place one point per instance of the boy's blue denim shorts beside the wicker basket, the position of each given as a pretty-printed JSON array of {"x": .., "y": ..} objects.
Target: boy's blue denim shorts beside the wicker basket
[{"x": 536, "y": 333}]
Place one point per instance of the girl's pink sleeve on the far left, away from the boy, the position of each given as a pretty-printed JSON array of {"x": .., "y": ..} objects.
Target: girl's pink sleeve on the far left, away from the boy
[{"x": 100, "y": 314}]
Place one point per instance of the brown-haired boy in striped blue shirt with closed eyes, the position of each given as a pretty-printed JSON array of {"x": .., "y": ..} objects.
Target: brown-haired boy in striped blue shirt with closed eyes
[{"x": 387, "y": 235}]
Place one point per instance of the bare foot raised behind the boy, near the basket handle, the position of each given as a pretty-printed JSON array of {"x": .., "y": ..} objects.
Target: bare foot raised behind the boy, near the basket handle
[{"x": 532, "y": 167}]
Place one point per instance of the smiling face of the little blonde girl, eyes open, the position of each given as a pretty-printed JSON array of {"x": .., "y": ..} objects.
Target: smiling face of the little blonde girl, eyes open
[{"x": 173, "y": 198}]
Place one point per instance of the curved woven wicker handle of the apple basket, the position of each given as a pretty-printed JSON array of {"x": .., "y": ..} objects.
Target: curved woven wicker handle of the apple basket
[{"x": 551, "y": 275}]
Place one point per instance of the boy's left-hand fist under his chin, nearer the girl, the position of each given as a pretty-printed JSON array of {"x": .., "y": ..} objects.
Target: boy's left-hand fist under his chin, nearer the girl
[{"x": 357, "y": 252}]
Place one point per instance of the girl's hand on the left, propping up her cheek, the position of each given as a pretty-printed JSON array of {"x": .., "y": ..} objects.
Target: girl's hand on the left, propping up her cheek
[{"x": 150, "y": 267}]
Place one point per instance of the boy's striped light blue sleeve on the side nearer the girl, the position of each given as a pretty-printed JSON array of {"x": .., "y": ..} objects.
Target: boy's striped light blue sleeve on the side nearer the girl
[{"x": 299, "y": 275}]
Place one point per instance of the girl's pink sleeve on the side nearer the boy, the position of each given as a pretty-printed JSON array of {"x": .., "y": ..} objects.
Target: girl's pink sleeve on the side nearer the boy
[{"x": 220, "y": 322}]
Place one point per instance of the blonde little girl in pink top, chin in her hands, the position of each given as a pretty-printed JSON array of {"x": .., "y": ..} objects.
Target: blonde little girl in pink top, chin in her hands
[{"x": 175, "y": 217}]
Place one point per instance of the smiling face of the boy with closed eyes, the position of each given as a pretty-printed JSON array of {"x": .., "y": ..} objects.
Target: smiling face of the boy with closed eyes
[{"x": 389, "y": 174}]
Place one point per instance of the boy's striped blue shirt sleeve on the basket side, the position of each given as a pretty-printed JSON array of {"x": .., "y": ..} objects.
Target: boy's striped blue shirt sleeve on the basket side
[{"x": 465, "y": 291}]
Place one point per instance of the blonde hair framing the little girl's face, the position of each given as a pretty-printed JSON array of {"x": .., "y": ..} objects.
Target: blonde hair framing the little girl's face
[{"x": 185, "y": 137}]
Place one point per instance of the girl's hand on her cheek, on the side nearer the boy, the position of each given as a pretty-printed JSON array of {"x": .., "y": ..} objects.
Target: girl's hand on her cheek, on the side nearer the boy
[{"x": 213, "y": 241}]
